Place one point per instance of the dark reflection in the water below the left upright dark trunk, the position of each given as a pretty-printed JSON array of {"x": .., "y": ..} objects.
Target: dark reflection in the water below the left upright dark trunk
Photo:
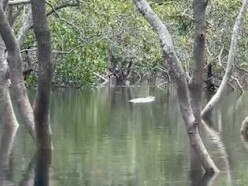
[{"x": 43, "y": 163}]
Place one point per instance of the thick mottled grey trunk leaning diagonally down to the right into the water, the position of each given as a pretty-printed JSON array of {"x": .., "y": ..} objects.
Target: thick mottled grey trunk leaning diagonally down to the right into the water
[{"x": 182, "y": 87}]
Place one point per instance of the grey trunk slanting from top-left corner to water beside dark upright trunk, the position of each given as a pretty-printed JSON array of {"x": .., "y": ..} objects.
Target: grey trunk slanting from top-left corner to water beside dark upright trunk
[{"x": 17, "y": 81}]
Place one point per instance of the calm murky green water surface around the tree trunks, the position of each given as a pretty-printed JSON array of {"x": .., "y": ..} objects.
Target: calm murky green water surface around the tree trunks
[{"x": 100, "y": 138}]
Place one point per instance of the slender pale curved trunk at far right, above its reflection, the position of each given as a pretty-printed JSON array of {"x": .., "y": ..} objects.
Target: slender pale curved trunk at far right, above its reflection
[{"x": 231, "y": 59}]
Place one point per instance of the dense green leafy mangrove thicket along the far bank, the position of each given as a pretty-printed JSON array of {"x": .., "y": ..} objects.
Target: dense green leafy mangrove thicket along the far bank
[{"x": 99, "y": 38}]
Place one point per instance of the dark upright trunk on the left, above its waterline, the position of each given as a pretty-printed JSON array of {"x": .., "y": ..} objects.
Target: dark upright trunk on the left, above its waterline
[{"x": 45, "y": 70}]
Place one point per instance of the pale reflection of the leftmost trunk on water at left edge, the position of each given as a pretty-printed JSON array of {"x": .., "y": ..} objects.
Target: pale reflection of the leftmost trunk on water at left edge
[{"x": 6, "y": 149}]
